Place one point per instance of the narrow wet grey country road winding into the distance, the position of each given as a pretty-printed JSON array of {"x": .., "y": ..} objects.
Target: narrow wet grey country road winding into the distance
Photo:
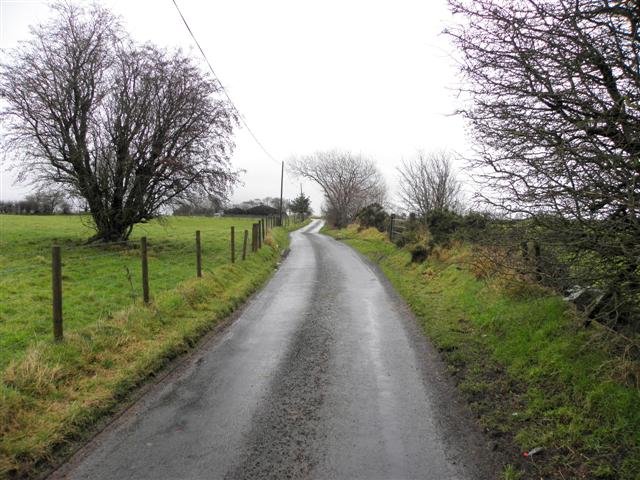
[{"x": 323, "y": 375}]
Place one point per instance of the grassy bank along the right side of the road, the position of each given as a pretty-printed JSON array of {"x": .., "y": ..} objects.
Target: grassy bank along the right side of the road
[{"x": 529, "y": 369}]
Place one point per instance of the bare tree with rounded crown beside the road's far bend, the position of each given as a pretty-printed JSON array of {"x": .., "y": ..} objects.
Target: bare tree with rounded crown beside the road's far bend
[{"x": 349, "y": 182}]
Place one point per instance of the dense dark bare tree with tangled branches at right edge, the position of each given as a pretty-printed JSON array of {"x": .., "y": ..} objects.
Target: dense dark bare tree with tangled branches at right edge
[{"x": 554, "y": 105}]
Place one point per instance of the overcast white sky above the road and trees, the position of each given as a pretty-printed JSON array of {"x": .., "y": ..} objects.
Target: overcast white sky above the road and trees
[{"x": 373, "y": 77}]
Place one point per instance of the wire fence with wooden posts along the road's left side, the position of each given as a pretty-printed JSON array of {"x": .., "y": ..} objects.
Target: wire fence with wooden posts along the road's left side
[{"x": 74, "y": 285}]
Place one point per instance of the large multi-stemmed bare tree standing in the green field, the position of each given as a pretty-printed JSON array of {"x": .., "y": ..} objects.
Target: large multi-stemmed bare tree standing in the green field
[{"x": 127, "y": 128}]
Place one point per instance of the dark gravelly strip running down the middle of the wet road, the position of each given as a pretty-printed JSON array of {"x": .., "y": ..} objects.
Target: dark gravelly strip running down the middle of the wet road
[{"x": 287, "y": 425}]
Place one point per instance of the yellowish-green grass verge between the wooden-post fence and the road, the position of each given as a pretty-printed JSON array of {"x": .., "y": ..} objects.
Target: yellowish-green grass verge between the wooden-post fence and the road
[{"x": 52, "y": 394}]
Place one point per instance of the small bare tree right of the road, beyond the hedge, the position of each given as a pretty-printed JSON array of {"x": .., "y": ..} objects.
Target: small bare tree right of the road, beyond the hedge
[{"x": 429, "y": 183}]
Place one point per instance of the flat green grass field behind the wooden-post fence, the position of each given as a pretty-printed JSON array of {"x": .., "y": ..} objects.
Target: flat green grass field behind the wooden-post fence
[{"x": 97, "y": 281}]
